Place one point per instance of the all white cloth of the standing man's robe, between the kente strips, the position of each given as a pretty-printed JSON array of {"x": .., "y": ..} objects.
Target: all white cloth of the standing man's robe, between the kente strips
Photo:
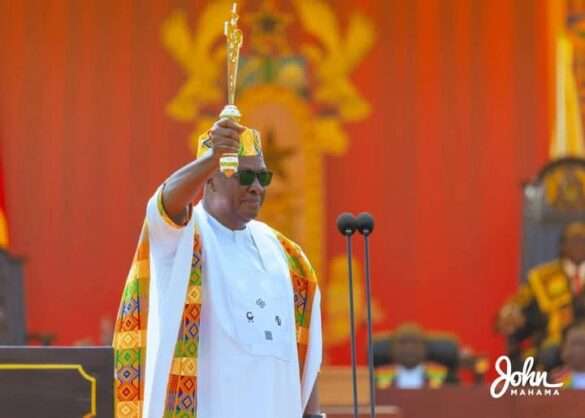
[{"x": 248, "y": 364}]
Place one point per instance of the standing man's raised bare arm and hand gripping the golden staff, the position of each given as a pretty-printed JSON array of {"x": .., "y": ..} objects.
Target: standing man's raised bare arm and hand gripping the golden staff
[{"x": 184, "y": 184}]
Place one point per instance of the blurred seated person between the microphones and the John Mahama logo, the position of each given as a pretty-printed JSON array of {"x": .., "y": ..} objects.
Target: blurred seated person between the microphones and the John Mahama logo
[{"x": 409, "y": 369}]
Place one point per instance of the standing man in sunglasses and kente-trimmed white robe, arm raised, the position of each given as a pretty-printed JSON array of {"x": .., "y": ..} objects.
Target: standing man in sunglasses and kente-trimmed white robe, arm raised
[{"x": 220, "y": 316}]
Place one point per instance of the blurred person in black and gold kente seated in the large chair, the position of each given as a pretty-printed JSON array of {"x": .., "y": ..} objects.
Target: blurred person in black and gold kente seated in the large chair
[{"x": 548, "y": 302}]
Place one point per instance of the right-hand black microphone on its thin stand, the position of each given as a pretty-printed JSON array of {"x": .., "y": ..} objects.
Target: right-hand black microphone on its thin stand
[{"x": 364, "y": 223}]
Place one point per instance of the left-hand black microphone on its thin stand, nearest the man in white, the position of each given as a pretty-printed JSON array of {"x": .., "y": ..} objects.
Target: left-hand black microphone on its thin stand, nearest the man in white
[{"x": 346, "y": 225}]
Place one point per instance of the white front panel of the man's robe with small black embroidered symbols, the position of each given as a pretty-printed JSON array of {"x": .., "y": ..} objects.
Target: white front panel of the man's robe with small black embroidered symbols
[{"x": 248, "y": 363}]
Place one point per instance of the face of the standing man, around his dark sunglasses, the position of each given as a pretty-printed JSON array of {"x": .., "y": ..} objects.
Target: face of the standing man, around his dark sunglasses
[{"x": 243, "y": 202}]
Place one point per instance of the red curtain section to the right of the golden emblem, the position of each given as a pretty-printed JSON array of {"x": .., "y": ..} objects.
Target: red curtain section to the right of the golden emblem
[{"x": 460, "y": 118}]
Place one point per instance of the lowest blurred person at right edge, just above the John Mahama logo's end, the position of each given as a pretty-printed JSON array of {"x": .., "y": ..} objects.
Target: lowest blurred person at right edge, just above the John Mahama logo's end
[{"x": 572, "y": 374}]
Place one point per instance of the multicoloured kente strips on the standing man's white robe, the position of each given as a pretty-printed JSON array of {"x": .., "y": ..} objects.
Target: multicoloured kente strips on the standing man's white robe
[{"x": 131, "y": 329}]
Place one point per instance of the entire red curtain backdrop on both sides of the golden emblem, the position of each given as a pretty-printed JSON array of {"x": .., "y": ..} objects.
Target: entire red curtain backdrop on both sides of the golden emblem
[{"x": 461, "y": 116}]
